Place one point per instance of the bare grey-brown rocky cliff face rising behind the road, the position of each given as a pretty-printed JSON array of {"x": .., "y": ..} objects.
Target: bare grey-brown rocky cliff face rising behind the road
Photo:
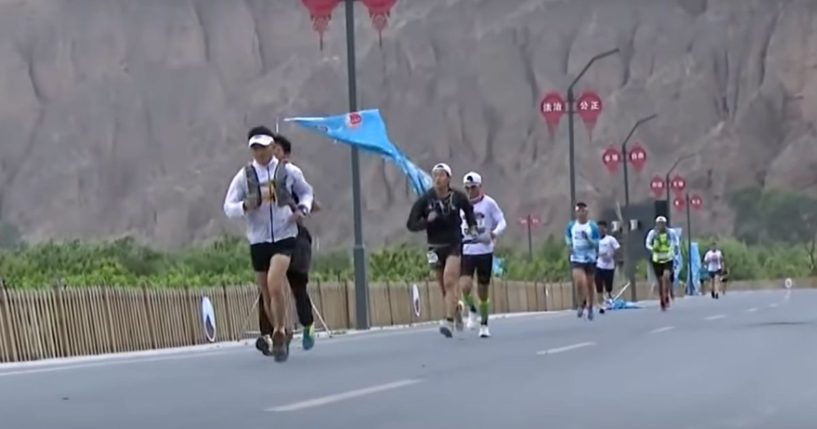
[{"x": 128, "y": 117}]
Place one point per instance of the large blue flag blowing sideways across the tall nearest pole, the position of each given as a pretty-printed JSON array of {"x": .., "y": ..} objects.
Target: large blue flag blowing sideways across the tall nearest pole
[{"x": 367, "y": 131}]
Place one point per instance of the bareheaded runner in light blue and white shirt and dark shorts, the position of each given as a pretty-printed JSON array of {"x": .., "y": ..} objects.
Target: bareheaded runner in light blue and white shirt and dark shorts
[{"x": 582, "y": 238}]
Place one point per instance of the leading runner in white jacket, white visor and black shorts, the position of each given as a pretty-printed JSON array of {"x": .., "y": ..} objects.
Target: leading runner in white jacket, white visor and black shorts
[{"x": 262, "y": 196}]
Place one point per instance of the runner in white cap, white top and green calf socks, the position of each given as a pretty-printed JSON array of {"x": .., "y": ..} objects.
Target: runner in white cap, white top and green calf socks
[{"x": 478, "y": 254}]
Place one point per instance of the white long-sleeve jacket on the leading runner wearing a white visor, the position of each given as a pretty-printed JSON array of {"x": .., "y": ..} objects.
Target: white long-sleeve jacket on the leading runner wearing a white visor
[{"x": 270, "y": 222}]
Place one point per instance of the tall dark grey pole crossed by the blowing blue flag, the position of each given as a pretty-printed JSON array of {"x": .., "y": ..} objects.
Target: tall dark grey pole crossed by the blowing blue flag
[{"x": 358, "y": 251}]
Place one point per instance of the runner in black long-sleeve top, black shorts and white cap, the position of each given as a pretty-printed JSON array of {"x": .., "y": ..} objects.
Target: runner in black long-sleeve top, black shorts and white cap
[{"x": 438, "y": 213}]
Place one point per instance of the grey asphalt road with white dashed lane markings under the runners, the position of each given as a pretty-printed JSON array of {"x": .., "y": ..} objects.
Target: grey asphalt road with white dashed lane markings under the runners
[{"x": 746, "y": 361}]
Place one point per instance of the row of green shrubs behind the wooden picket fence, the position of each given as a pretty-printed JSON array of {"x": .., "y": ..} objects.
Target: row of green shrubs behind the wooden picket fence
[{"x": 226, "y": 262}]
